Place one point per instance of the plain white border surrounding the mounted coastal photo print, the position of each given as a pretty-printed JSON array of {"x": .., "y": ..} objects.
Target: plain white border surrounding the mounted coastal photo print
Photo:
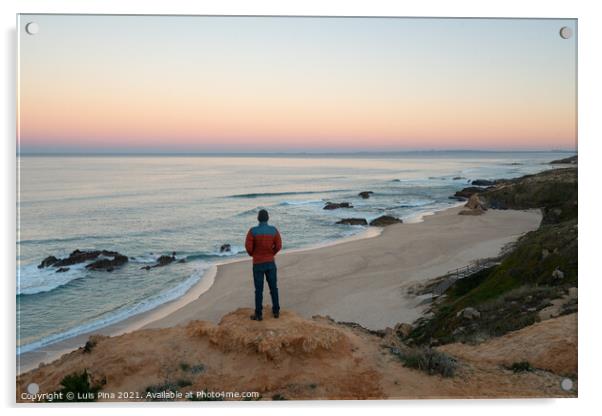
[{"x": 589, "y": 152}]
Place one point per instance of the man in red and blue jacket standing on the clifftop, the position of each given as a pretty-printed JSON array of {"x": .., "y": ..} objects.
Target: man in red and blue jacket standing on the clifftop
[{"x": 263, "y": 242}]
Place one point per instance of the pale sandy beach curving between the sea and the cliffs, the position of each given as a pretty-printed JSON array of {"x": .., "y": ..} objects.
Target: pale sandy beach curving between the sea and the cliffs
[{"x": 362, "y": 280}]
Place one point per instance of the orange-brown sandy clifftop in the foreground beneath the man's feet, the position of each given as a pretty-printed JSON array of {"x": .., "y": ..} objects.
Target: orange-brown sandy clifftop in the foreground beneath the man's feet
[{"x": 296, "y": 358}]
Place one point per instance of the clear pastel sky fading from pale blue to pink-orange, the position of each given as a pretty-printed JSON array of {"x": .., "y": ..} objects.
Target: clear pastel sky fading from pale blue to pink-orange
[{"x": 89, "y": 83}]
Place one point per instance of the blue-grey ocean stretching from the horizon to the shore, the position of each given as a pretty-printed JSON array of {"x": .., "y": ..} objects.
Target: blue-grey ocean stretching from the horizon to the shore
[{"x": 147, "y": 206}]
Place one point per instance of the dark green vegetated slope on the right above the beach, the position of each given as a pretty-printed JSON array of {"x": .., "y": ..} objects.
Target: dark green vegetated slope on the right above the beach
[{"x": 541, "y": 267}]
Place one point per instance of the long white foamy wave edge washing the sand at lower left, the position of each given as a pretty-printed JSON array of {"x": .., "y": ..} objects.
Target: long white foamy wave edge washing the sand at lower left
[{"x": 111, "y": 318}]
